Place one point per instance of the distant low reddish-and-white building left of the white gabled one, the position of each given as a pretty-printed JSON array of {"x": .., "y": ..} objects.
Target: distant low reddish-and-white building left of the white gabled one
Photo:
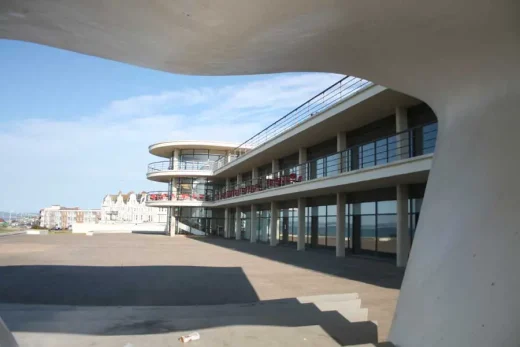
[{"x": 57, "y": 216}]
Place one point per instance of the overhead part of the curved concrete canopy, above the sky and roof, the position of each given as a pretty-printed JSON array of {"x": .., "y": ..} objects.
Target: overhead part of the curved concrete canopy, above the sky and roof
[{"x": 397, "y": 43}]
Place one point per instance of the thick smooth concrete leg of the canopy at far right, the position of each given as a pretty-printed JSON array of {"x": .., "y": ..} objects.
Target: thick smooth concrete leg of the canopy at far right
[{"x": 461, "y": 281}]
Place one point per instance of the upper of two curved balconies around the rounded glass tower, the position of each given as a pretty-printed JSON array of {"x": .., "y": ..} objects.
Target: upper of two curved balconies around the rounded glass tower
[{"x": 163, "y": 171}]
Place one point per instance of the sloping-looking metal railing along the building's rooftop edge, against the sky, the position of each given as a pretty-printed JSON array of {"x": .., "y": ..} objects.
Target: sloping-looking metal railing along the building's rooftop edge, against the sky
[{"x": 341, "y": 90}]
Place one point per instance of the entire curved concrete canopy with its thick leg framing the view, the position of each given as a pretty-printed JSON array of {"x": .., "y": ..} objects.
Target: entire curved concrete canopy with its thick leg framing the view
[{"x": 462, "y": 57}]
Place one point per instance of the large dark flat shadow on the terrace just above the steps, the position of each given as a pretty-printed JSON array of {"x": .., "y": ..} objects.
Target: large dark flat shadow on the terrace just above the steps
[{"x": 128, "y": 285}]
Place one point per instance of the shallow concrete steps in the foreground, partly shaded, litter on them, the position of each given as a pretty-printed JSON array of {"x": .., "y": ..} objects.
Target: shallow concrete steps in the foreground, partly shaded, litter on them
[{"x": 323, "y": 320}]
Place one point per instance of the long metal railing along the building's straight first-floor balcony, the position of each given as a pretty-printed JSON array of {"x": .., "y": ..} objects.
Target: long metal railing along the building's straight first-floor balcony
[{"x": 410, "y": 143}]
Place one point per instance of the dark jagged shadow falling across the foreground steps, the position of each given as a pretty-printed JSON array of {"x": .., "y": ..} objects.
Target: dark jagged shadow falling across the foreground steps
[{"x": 123, "y": 321}]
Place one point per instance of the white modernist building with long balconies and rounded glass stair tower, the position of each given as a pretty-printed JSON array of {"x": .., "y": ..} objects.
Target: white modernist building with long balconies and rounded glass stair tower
[{"x": 346, "y": 170}]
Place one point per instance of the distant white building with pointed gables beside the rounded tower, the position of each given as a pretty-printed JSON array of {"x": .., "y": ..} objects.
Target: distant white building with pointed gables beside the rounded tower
[{"x": 130, "y": 208}]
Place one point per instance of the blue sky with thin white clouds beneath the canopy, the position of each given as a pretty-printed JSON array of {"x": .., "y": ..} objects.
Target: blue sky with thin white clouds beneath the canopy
[{"x": 75, "y": 127}]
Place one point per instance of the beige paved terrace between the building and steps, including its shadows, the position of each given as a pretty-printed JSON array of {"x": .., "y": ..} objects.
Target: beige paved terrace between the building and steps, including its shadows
[{"x": 140, "y": 270}]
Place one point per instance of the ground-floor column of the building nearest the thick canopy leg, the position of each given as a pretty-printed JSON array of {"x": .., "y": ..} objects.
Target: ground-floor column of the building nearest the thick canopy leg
[{"x": 403, "y": 234}]
